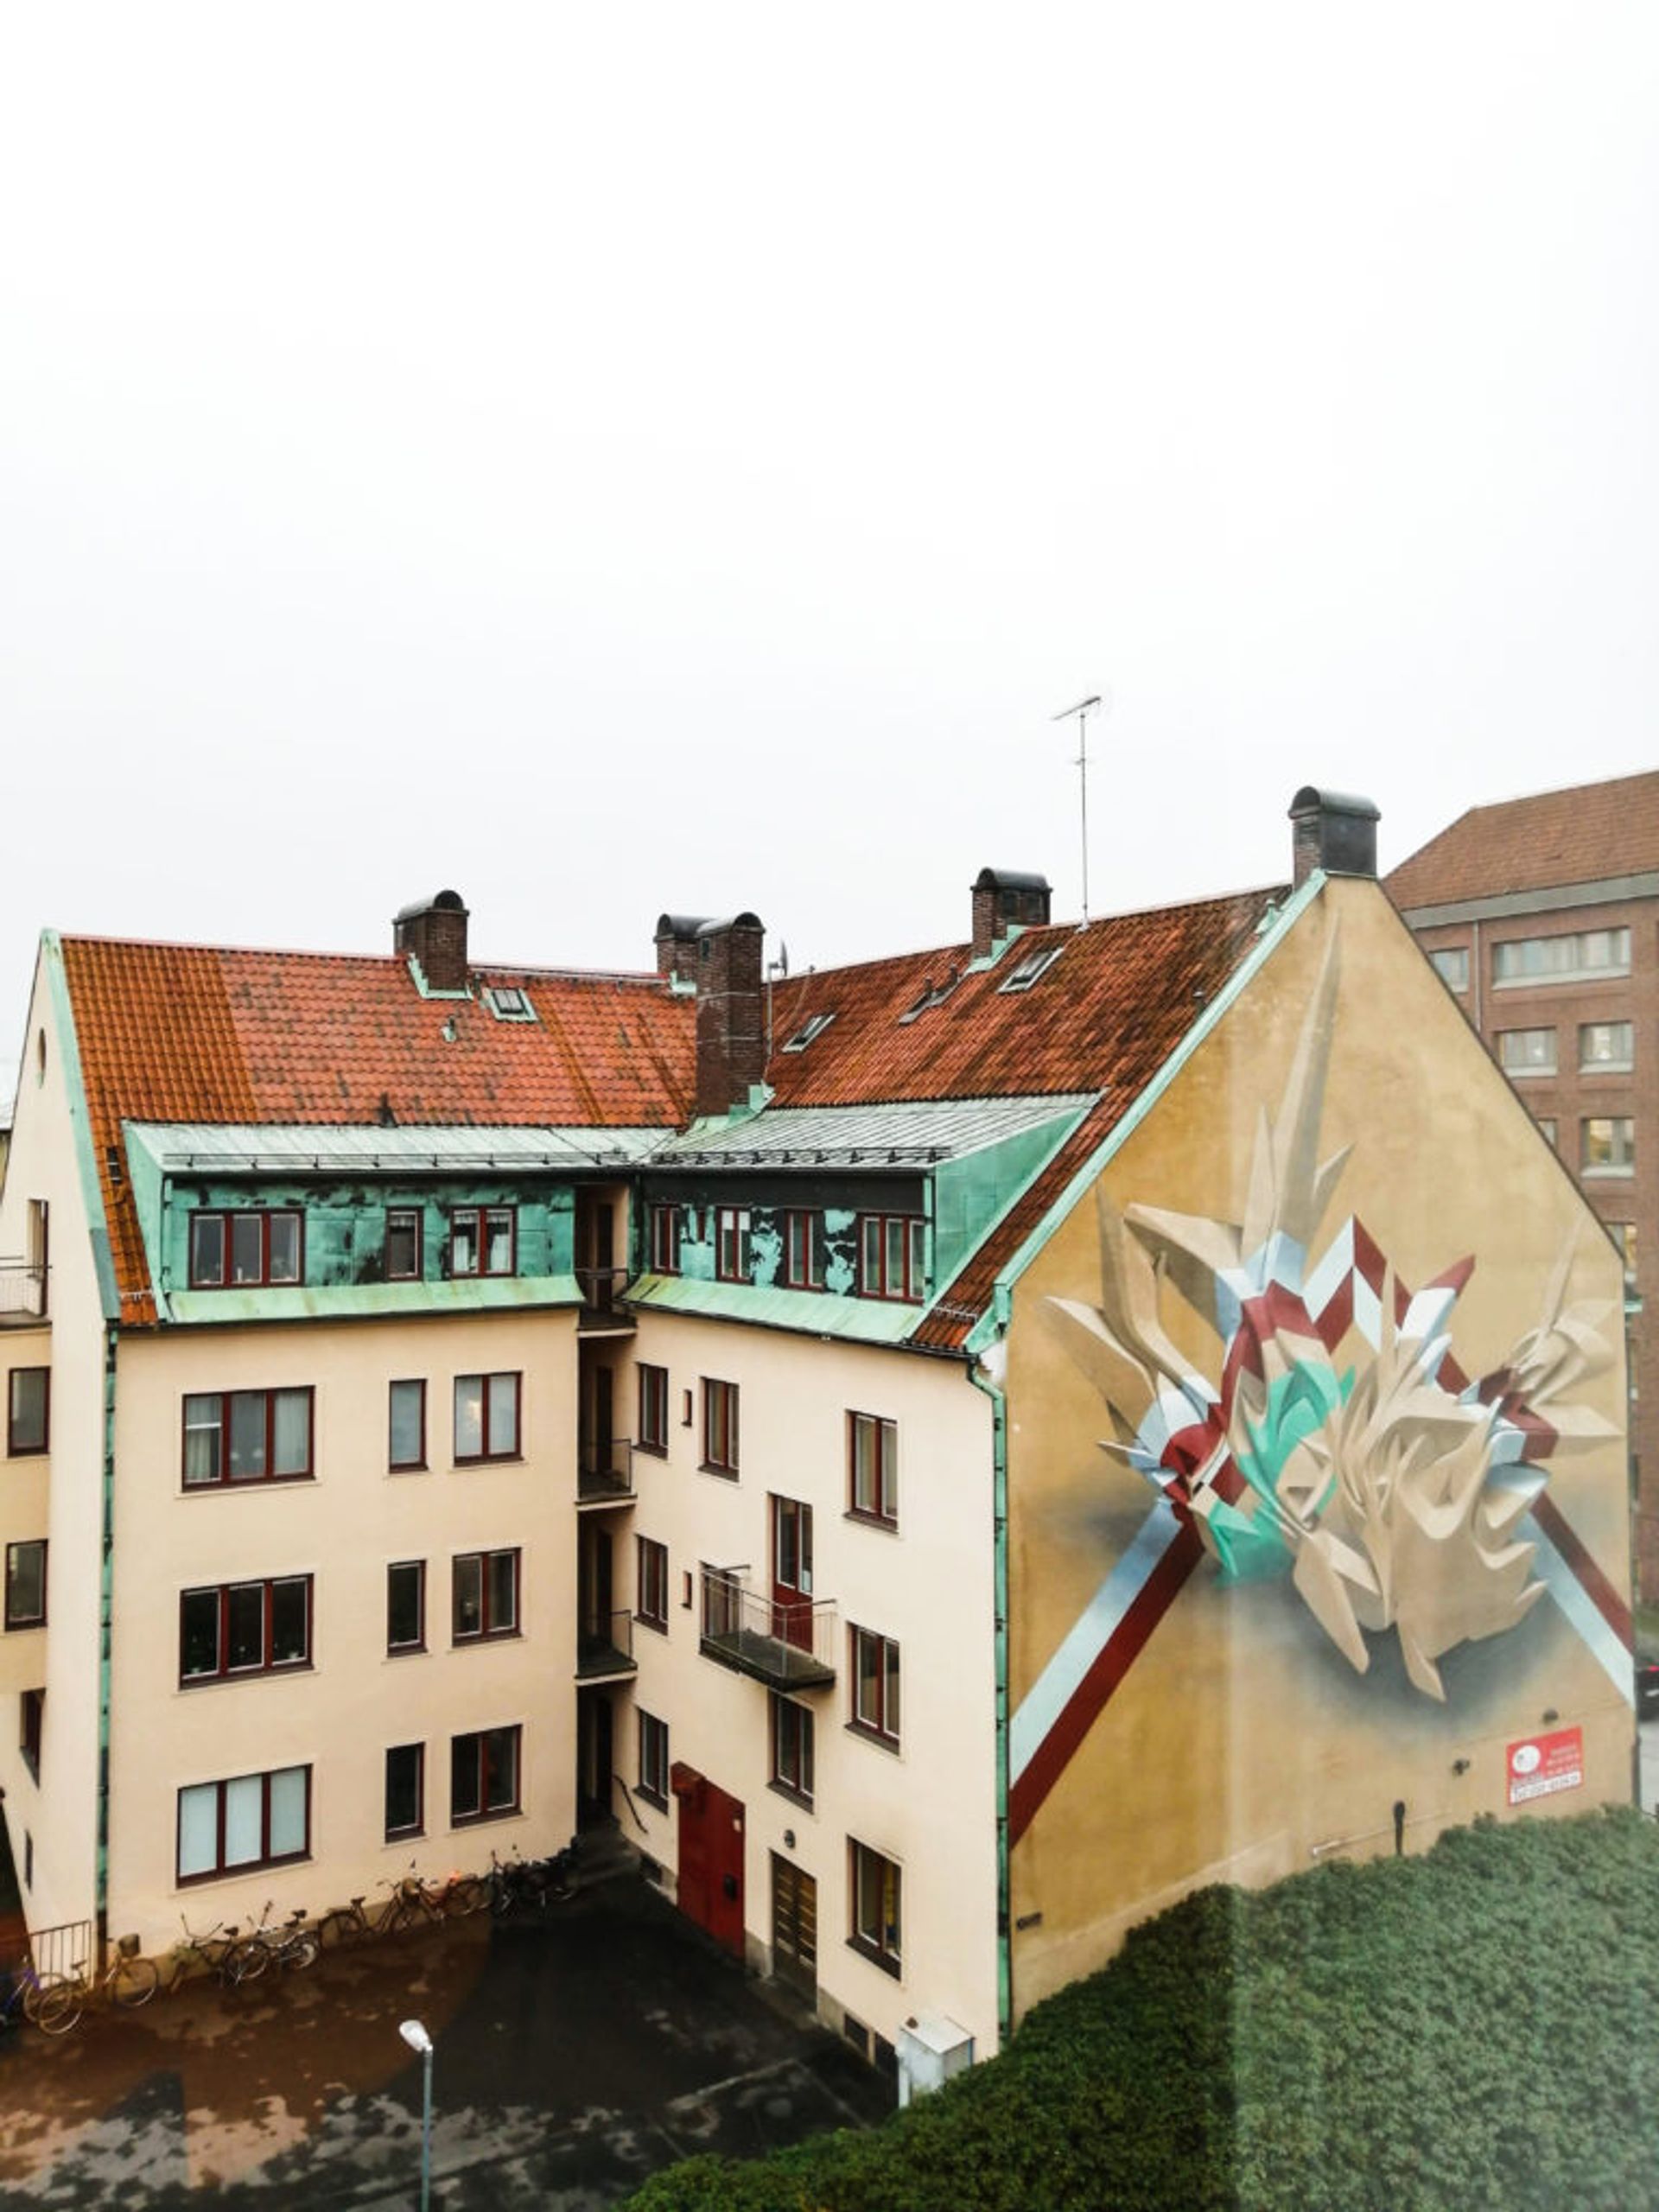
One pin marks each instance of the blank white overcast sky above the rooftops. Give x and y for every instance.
(632, 457)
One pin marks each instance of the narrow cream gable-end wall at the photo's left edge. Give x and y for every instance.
(59, 1496)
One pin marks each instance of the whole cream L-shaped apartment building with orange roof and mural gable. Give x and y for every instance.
(813, 1434)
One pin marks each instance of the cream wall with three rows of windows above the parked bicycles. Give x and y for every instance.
(344, 1530)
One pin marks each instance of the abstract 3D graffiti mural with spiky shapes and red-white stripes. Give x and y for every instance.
(1331, 1434)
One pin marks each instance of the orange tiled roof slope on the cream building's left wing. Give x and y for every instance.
(198, 1034)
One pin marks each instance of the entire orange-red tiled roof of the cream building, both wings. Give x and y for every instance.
(198, 1034)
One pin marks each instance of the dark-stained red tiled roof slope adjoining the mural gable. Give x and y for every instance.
(1107, 1014)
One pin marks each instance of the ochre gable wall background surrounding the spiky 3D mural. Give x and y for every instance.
(1242, 1744)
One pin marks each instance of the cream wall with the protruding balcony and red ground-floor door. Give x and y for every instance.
(930, 1585)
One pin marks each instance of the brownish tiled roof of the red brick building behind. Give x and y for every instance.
(1583, 835)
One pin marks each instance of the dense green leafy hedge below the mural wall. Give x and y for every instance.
(1470, 2030)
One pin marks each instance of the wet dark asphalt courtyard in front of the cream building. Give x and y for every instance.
(574, 2056)
